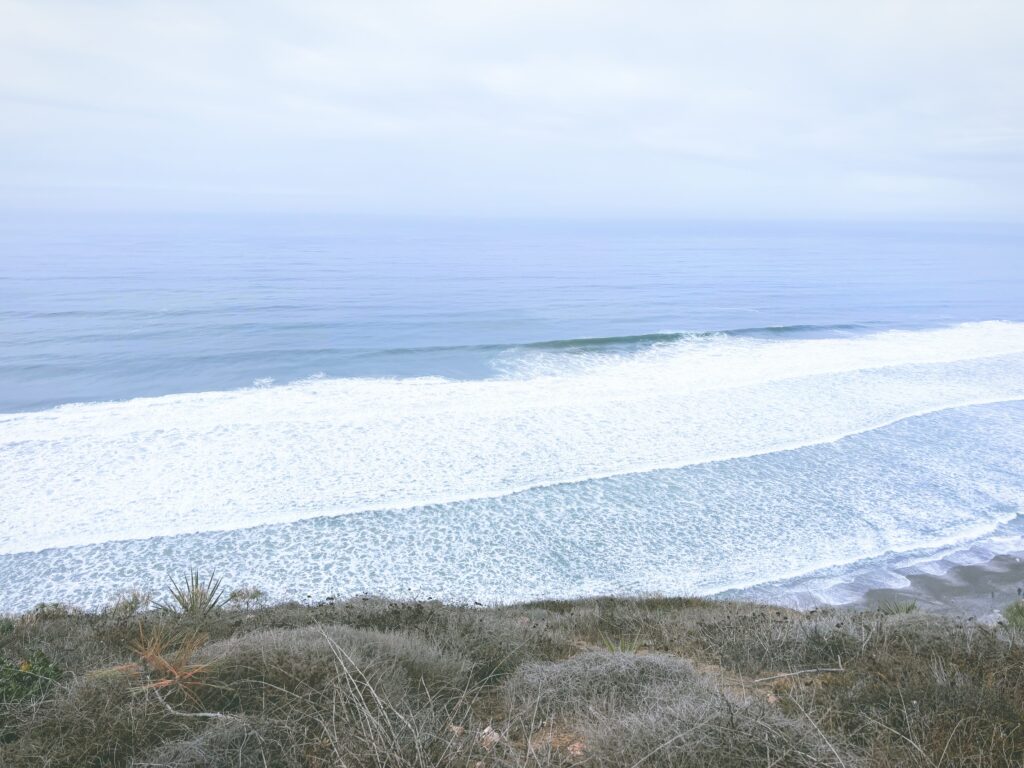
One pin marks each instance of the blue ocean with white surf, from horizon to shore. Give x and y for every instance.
(500, 411)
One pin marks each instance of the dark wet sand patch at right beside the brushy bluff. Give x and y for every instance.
(980, 591)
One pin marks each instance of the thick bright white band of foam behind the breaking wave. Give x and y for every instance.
(94, 473)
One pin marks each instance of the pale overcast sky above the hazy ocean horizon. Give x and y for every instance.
(857, 109)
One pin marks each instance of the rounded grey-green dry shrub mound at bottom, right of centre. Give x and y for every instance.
(656, 710)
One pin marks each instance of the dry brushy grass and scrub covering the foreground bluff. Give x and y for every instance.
(605, 682)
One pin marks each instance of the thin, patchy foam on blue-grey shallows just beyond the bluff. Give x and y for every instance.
(831, 520)
